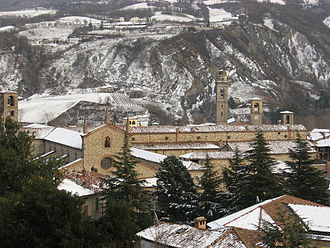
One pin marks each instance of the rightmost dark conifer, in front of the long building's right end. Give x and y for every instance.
(303, 180)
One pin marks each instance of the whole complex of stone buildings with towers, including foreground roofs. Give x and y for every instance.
(88, 154)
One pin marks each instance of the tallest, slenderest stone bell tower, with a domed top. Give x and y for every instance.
(222, 98)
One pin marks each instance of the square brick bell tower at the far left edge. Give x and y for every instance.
(8, 105)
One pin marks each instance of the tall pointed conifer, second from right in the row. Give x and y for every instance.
(260, 182)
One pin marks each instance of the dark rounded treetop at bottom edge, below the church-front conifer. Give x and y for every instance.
(118, 225)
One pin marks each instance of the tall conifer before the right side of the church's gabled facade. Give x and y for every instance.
(126, 187)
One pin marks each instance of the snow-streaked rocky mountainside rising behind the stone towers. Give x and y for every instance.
(265, 54)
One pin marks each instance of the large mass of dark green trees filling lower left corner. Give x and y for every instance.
(34, 213)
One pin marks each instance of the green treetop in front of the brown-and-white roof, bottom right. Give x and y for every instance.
(292, 233)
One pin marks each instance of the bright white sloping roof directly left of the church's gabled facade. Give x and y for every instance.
(65, 137)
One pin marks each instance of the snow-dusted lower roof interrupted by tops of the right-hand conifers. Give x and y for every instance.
(276, 147)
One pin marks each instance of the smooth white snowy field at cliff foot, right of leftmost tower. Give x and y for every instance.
(38, 109)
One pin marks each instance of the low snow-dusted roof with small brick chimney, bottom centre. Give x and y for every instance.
(176, 235)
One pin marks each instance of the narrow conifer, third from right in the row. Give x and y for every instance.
(235, 179)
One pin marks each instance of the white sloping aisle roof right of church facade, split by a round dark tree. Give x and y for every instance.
(158, 158)
